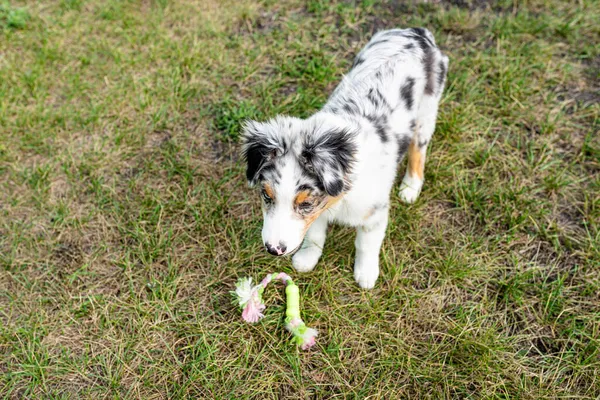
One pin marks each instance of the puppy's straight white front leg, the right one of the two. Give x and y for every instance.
(369, 238)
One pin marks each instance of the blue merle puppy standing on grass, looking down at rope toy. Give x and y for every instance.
(339, 165)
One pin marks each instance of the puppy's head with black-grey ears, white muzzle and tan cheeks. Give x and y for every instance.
(302, 168)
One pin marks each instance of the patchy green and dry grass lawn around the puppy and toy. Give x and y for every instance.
(125, 218)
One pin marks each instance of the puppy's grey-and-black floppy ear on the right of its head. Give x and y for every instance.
(330, 156)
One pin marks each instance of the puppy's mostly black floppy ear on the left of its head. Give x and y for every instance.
(260, 146)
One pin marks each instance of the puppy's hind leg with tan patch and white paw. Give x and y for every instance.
(423, 128)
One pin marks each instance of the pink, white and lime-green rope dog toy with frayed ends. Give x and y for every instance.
(249, 298)
